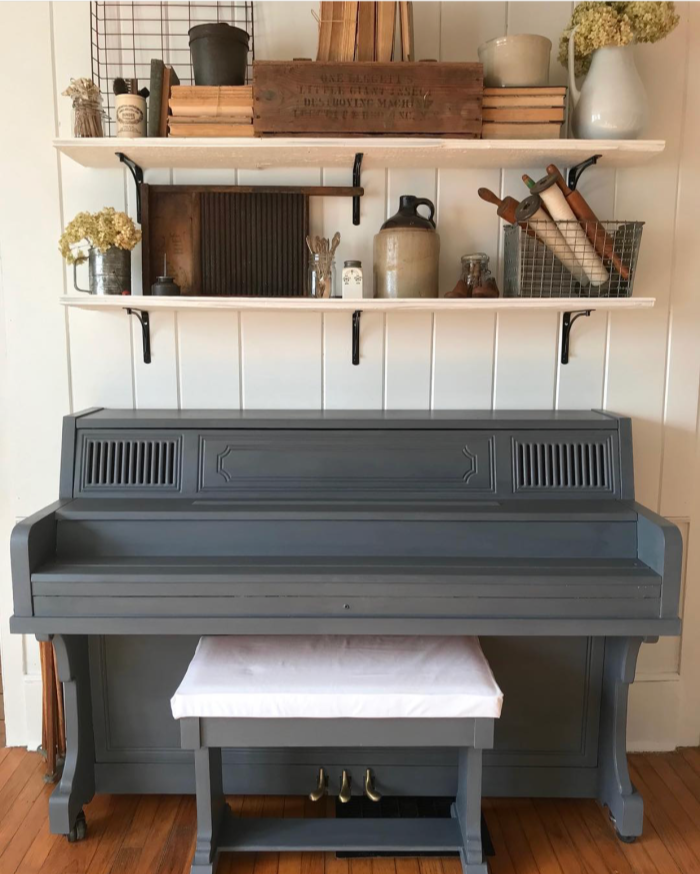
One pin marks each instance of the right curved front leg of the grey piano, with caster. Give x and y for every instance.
(615, 789)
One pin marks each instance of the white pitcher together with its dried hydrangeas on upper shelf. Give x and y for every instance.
(598, 42)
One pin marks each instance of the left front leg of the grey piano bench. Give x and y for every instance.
(210, 809)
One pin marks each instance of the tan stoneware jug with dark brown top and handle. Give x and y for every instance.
(407, 252)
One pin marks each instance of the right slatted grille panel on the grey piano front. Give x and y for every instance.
(563, 466)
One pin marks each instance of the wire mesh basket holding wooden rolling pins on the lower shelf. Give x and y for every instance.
(570, 259)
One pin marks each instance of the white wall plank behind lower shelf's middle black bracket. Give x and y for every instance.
(347, 386)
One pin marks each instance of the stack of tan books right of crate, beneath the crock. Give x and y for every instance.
(523, 113)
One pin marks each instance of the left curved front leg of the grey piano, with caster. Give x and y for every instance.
(77, 784)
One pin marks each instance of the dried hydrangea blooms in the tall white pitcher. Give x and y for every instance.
(614, 24)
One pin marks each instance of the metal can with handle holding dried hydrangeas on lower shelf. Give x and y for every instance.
(105, 239)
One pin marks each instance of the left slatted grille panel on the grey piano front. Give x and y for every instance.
(131, 463)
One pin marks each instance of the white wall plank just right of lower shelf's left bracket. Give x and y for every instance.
(208, 360)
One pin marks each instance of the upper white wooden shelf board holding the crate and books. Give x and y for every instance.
(413, 152)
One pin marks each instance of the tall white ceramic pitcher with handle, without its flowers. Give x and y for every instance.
(612, 104)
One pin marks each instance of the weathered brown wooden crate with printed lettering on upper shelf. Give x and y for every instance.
(316, 98)
